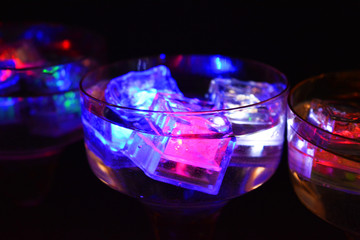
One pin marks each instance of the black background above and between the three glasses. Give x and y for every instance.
(298, 38)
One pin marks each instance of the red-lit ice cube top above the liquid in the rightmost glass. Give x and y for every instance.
(338, 117)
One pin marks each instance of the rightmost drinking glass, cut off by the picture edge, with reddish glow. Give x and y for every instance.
(324, 147)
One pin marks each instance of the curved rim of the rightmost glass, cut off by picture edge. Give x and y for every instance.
(305, 81)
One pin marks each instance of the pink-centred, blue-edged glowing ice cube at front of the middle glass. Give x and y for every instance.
(190, 151)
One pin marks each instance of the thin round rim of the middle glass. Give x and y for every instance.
(107, 66)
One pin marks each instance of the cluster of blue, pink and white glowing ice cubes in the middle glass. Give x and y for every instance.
(183, 146)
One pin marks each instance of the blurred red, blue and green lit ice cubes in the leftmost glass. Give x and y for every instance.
(51, 107)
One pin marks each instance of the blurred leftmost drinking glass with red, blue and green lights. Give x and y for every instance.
(40, 69)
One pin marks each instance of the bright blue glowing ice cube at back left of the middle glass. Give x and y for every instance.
(138, 89)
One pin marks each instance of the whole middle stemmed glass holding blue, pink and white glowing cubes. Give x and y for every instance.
(169, 160)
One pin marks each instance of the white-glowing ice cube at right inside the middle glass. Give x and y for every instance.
(254, 126)
